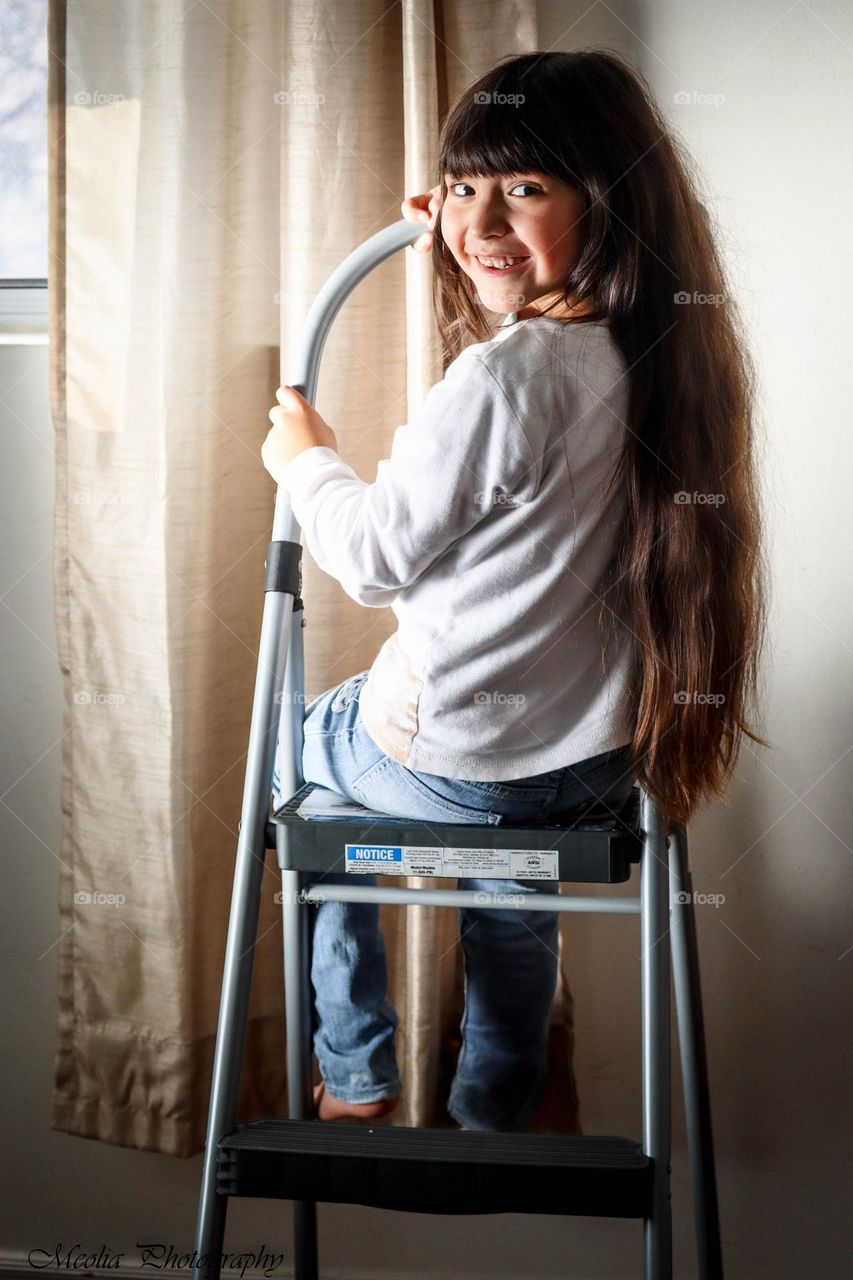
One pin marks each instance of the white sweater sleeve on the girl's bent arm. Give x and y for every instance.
(439, 483)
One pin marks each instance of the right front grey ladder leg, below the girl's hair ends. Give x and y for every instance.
(655, 967)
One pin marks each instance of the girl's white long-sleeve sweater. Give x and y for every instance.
(490, 534)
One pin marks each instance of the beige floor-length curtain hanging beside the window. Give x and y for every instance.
(211, 164)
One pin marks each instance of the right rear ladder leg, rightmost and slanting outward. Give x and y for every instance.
(695, 1066)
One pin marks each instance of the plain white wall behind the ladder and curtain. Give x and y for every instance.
(778, 956)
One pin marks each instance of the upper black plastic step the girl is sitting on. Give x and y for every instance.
(597, 848)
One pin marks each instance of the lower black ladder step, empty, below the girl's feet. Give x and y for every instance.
(437, 1171)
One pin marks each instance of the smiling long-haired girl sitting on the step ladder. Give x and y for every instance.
(568, 534)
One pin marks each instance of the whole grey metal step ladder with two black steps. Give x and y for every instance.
(436, 1171)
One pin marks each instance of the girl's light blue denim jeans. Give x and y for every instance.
(510, 956)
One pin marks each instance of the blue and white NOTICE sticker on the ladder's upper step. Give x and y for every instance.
(428, 861)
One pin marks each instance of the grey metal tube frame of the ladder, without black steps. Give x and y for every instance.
(665, 904)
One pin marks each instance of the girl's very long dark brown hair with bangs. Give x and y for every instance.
(690, 572)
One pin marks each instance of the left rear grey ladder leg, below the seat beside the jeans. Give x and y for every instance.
(298, 1014)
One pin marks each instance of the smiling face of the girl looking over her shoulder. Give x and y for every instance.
(530, 216)
